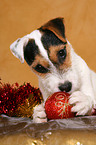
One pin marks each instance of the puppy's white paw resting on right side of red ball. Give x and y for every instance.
(82, 104)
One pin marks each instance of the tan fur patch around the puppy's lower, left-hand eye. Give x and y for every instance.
(39, 60)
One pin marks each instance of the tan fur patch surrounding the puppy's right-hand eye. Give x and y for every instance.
(53, 50)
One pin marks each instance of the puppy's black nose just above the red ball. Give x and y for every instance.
(65, 87)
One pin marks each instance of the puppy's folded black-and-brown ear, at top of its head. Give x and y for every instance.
(57, 27)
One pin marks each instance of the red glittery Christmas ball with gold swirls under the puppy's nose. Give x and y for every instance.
(58, 107)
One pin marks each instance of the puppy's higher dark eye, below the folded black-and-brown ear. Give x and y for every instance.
(62, 55)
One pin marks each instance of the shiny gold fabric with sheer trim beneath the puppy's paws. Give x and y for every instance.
(22, 131)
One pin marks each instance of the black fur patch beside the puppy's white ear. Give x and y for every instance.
(30, 51)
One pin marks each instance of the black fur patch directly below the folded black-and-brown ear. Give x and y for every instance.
(50, 39)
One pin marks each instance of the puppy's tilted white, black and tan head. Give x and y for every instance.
(49, 55)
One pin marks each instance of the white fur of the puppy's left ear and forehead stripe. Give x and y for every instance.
(17, 46)
